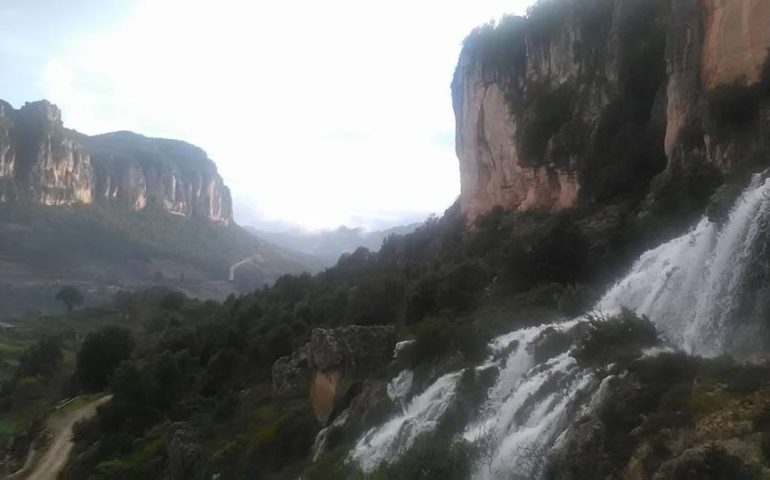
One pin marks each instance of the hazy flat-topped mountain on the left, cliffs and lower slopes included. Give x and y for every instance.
(117, 210)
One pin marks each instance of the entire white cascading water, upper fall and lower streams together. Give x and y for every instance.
(690, 287)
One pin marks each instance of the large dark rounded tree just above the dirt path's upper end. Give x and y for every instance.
(101, 352)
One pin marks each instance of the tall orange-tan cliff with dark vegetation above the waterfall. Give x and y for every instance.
(583, 101)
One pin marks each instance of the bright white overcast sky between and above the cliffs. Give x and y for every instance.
(317, 113)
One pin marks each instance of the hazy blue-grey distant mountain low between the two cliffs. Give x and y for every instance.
(328, 245)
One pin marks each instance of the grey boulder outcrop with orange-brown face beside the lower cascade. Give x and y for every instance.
(333, 365)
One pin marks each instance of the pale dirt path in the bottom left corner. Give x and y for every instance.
(55, 457)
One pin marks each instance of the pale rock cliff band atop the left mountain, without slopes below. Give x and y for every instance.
(42, 161)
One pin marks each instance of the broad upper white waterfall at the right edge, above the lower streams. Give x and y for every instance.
(693, 284)
